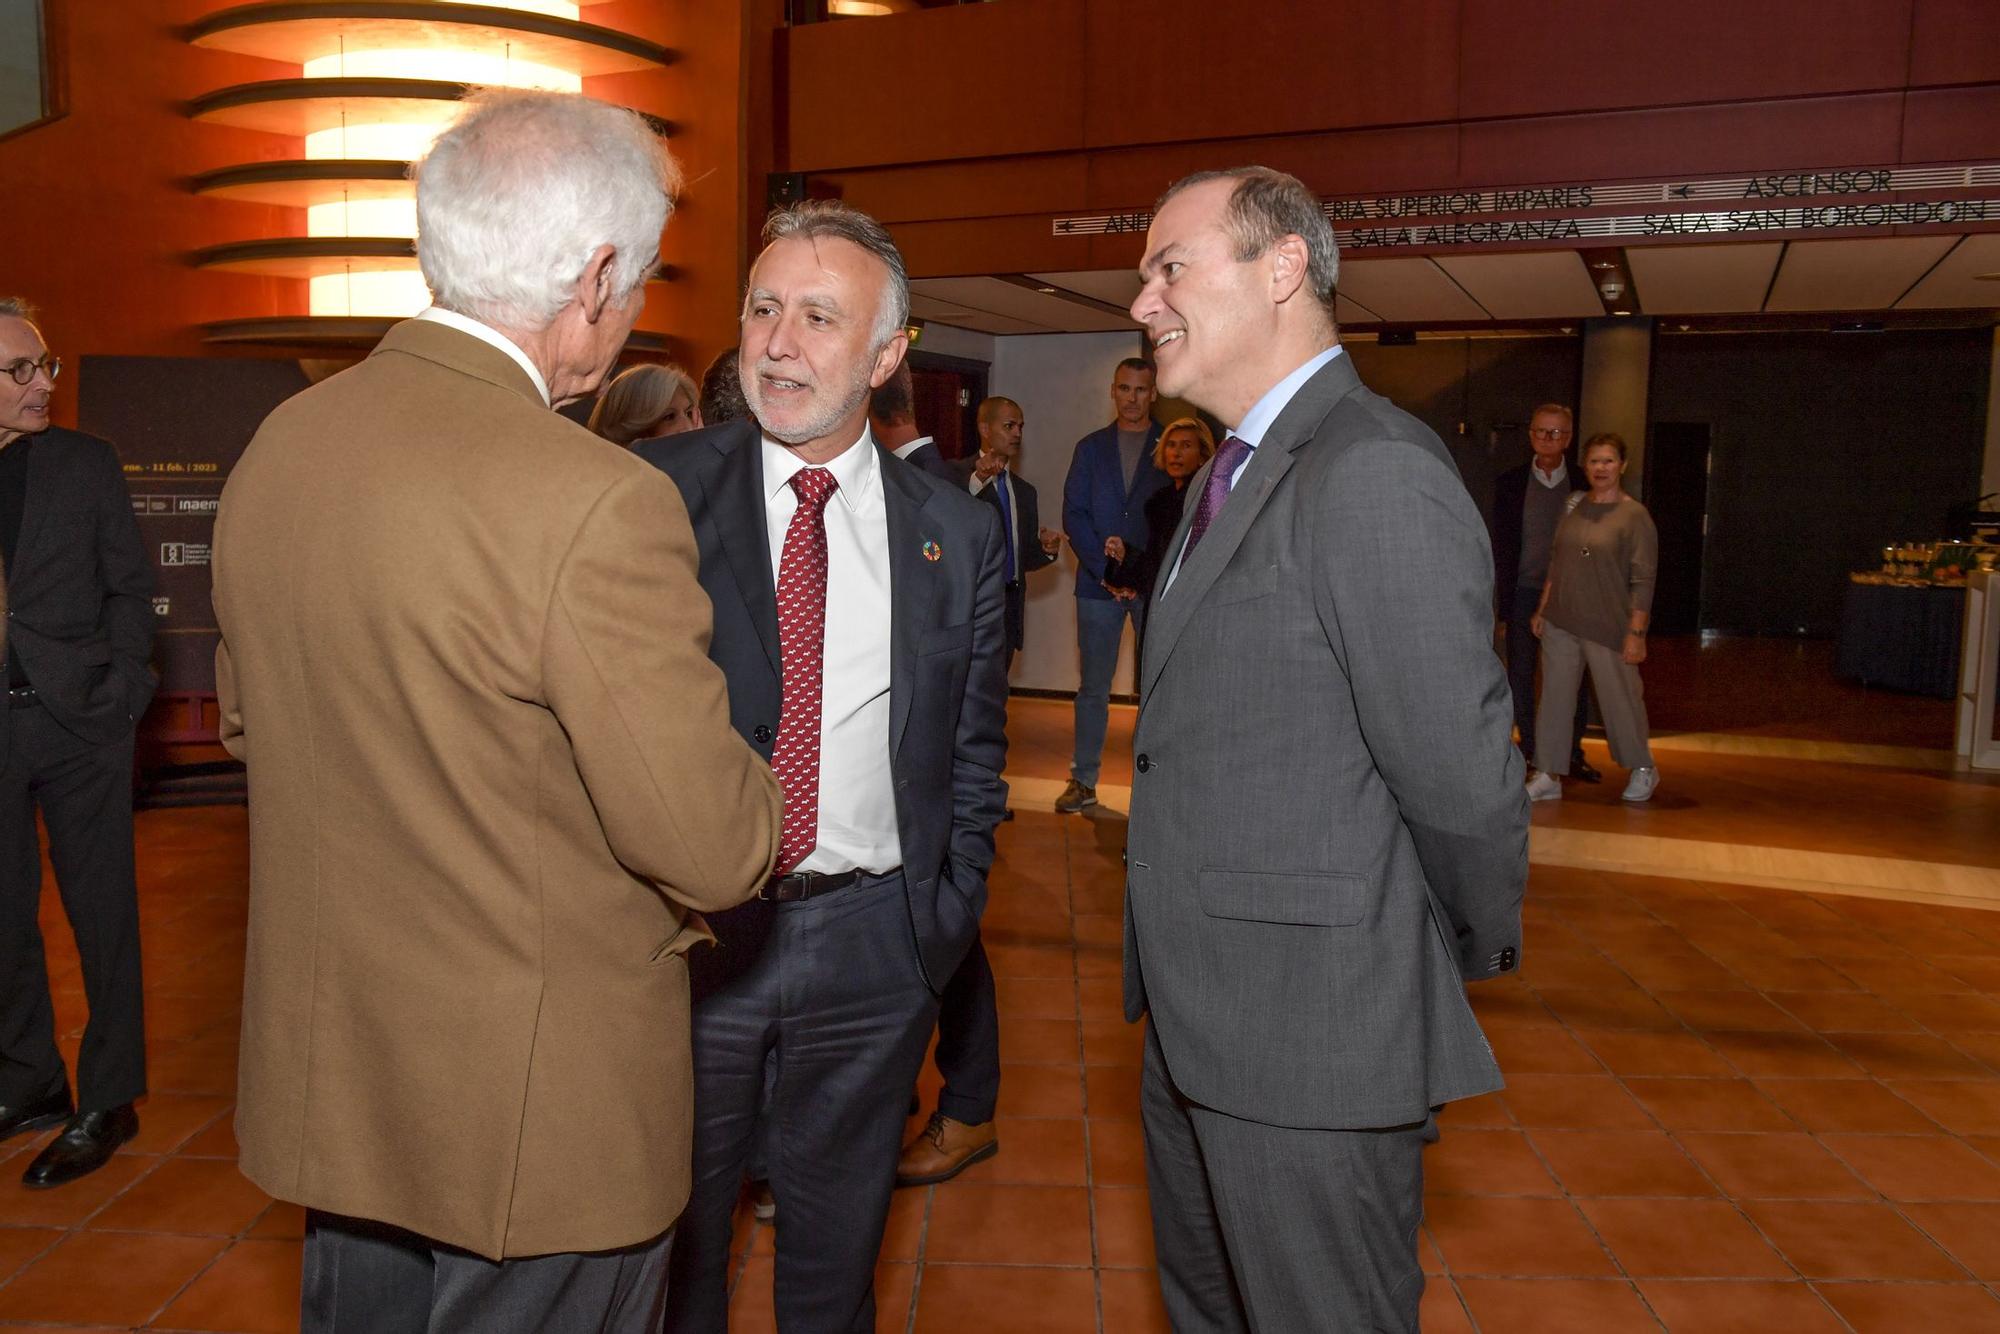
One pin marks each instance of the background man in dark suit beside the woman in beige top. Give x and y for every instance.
(1529, 507)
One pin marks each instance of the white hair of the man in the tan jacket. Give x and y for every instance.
(513, 201)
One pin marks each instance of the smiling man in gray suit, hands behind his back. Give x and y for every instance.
(1329, 831)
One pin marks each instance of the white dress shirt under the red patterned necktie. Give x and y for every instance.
(857, 787)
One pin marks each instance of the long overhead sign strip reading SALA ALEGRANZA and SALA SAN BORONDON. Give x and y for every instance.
(1471, 217)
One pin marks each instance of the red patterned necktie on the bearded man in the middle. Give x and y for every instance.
(795, 759)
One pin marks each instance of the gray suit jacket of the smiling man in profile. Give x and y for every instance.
(1329, 829)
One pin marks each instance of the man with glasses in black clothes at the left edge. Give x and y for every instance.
(79, 635)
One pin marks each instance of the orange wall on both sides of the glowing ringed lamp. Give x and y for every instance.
(99, 219)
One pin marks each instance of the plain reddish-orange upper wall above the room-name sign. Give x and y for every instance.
(967, 127)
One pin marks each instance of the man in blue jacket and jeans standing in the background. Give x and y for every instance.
(1105, 515)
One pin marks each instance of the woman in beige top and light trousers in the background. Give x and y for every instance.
(1595, 611)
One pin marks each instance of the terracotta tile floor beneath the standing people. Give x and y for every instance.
(1729, 1109)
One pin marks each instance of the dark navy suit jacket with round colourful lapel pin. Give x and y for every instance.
(947, 687)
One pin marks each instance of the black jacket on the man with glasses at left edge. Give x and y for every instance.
(79, 597)
